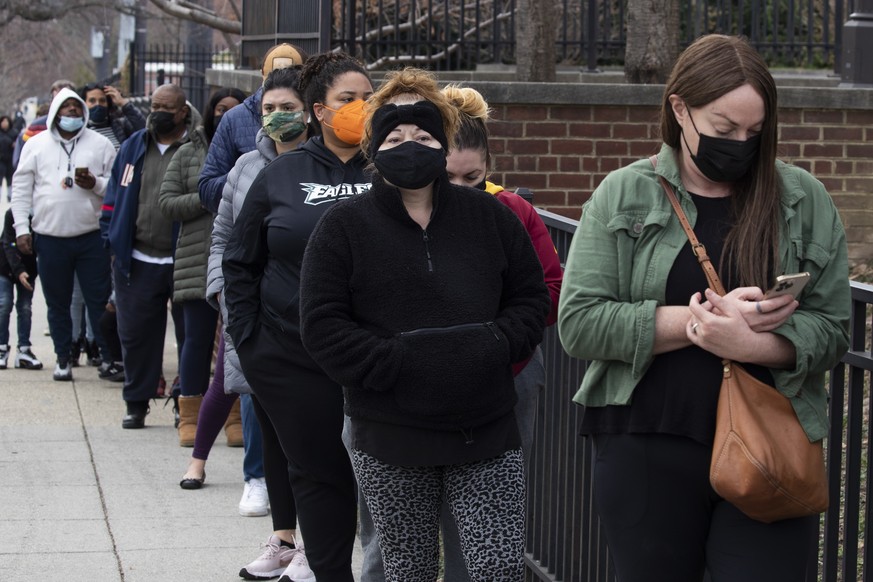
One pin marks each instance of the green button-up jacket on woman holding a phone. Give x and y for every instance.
(616, 275)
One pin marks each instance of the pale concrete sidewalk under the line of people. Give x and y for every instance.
(81, 499)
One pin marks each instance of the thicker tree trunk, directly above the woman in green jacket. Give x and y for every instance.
(652, 40)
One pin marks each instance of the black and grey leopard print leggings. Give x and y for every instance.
(487, 500)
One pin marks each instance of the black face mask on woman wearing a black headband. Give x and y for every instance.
(410, 165)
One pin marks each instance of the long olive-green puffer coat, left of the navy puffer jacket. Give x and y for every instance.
(180, 202)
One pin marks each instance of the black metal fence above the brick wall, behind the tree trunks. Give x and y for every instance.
(460, 34)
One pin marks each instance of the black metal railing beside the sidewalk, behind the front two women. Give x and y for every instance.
(565, 541)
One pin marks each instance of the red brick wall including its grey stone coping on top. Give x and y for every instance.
(560, 139)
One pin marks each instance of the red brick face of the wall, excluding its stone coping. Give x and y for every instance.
(561, 152)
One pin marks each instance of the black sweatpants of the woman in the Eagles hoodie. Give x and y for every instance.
(306, 410)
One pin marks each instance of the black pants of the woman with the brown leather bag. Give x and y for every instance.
(664, 522)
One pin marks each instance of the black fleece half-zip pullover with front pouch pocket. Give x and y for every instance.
(421, 326)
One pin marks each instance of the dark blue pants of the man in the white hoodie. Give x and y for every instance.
(59, 260)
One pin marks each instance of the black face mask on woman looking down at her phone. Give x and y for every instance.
(724, 160)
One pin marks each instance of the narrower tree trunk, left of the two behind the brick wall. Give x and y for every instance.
(535, 35)
